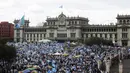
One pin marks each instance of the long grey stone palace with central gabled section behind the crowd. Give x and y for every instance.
(63, 28)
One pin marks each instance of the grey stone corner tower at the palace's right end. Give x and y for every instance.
(123, 30)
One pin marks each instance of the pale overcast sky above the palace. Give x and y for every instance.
(97, 11)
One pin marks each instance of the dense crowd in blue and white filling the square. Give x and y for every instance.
(52, 57)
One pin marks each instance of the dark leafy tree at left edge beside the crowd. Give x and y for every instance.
(7, 54)
